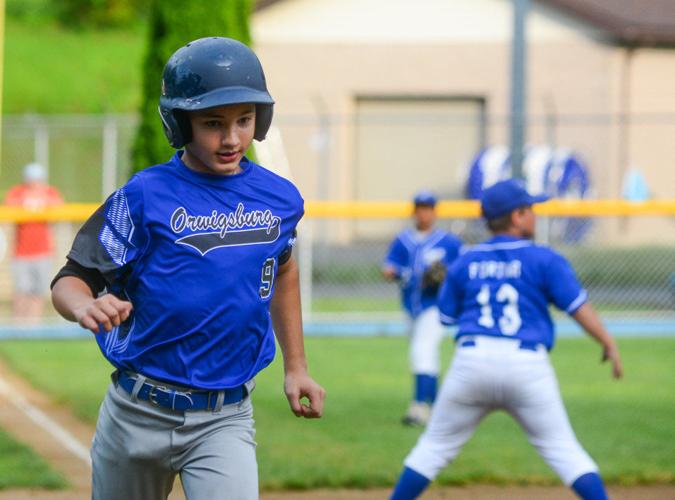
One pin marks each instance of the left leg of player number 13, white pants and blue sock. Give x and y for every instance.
(456, 413)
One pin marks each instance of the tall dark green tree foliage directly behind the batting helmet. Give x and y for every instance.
(173, 23)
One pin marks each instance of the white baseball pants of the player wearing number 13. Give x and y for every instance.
(496, 373)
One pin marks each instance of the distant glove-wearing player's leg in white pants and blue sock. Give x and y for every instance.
(427, 334)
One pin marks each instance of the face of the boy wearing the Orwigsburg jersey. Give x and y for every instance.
(220, 138)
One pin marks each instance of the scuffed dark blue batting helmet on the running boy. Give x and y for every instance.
(211, 72)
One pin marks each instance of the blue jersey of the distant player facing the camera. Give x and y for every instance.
(410, 254)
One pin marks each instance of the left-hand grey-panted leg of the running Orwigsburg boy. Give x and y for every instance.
(131, 450)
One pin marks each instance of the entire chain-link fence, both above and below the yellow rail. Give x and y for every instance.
(383, 152)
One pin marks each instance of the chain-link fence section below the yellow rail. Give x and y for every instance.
(343, 289)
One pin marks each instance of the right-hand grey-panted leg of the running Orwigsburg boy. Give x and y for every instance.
(219, 459)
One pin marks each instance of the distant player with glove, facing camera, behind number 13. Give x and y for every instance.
(418, 258)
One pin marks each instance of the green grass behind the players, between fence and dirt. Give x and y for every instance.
(626, 426)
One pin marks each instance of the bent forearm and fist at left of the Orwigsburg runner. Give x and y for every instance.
(74, 300)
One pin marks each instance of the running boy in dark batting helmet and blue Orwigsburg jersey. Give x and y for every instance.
(184, 275)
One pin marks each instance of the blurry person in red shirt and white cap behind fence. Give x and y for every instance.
(33, 242)
